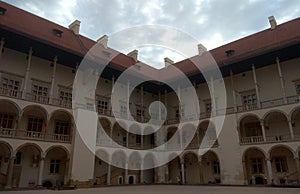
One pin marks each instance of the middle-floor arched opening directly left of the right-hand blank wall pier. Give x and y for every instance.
(207, 135)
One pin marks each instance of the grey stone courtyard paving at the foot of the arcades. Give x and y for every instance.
(166, 189)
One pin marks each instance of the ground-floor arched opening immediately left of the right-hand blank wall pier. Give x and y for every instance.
(211, 170)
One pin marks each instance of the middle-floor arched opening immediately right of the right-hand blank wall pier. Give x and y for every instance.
(250, 130)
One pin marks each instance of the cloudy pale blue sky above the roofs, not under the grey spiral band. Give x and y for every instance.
(211, 22)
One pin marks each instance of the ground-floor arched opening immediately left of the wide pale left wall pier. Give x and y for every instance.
(56, 166)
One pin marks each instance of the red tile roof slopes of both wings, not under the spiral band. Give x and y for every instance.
(40, 29)
